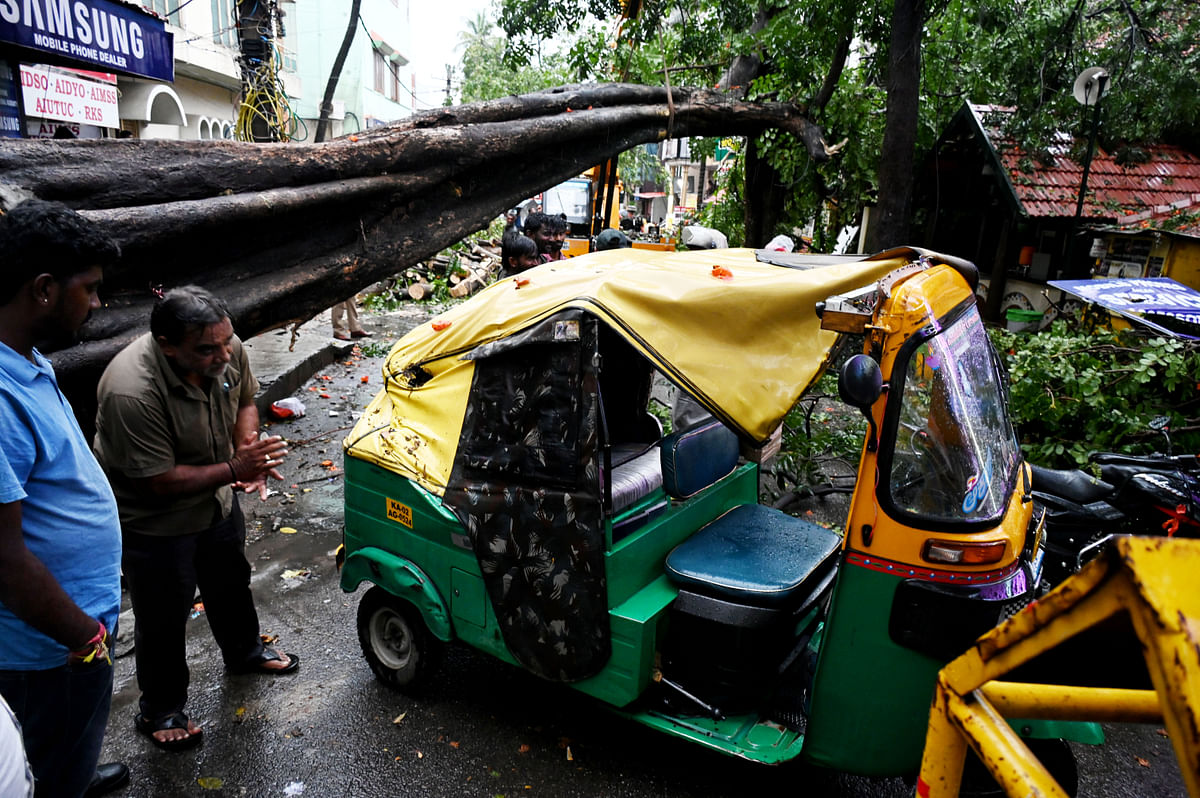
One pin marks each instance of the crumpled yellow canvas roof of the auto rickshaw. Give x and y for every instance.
(740, 335)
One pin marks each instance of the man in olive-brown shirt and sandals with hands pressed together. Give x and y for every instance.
(177, 431)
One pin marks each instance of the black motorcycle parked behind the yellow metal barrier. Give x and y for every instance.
(1139, 495)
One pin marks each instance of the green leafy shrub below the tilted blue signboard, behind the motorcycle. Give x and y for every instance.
(1075, 392)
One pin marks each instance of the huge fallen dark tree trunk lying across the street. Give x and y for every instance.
(284, 231)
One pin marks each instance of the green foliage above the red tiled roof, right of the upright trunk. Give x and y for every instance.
(1028, 55)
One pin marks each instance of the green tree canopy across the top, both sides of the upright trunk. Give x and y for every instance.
(1022, 53)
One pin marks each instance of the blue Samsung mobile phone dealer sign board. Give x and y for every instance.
(98, 33)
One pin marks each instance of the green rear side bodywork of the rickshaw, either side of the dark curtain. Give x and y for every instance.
(453, 601)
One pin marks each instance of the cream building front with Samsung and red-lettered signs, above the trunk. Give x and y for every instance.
(196, 95)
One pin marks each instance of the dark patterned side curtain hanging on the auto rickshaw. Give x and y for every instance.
(526, 487)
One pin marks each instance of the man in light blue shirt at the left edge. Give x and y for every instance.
(61, 543)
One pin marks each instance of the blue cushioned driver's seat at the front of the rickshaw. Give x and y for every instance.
(757, 556)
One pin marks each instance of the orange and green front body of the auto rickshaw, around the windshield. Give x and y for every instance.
(869, 677)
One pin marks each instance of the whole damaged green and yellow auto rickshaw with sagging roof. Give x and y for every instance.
(509, 490)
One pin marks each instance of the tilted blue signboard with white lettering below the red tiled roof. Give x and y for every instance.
(1154, 302)
